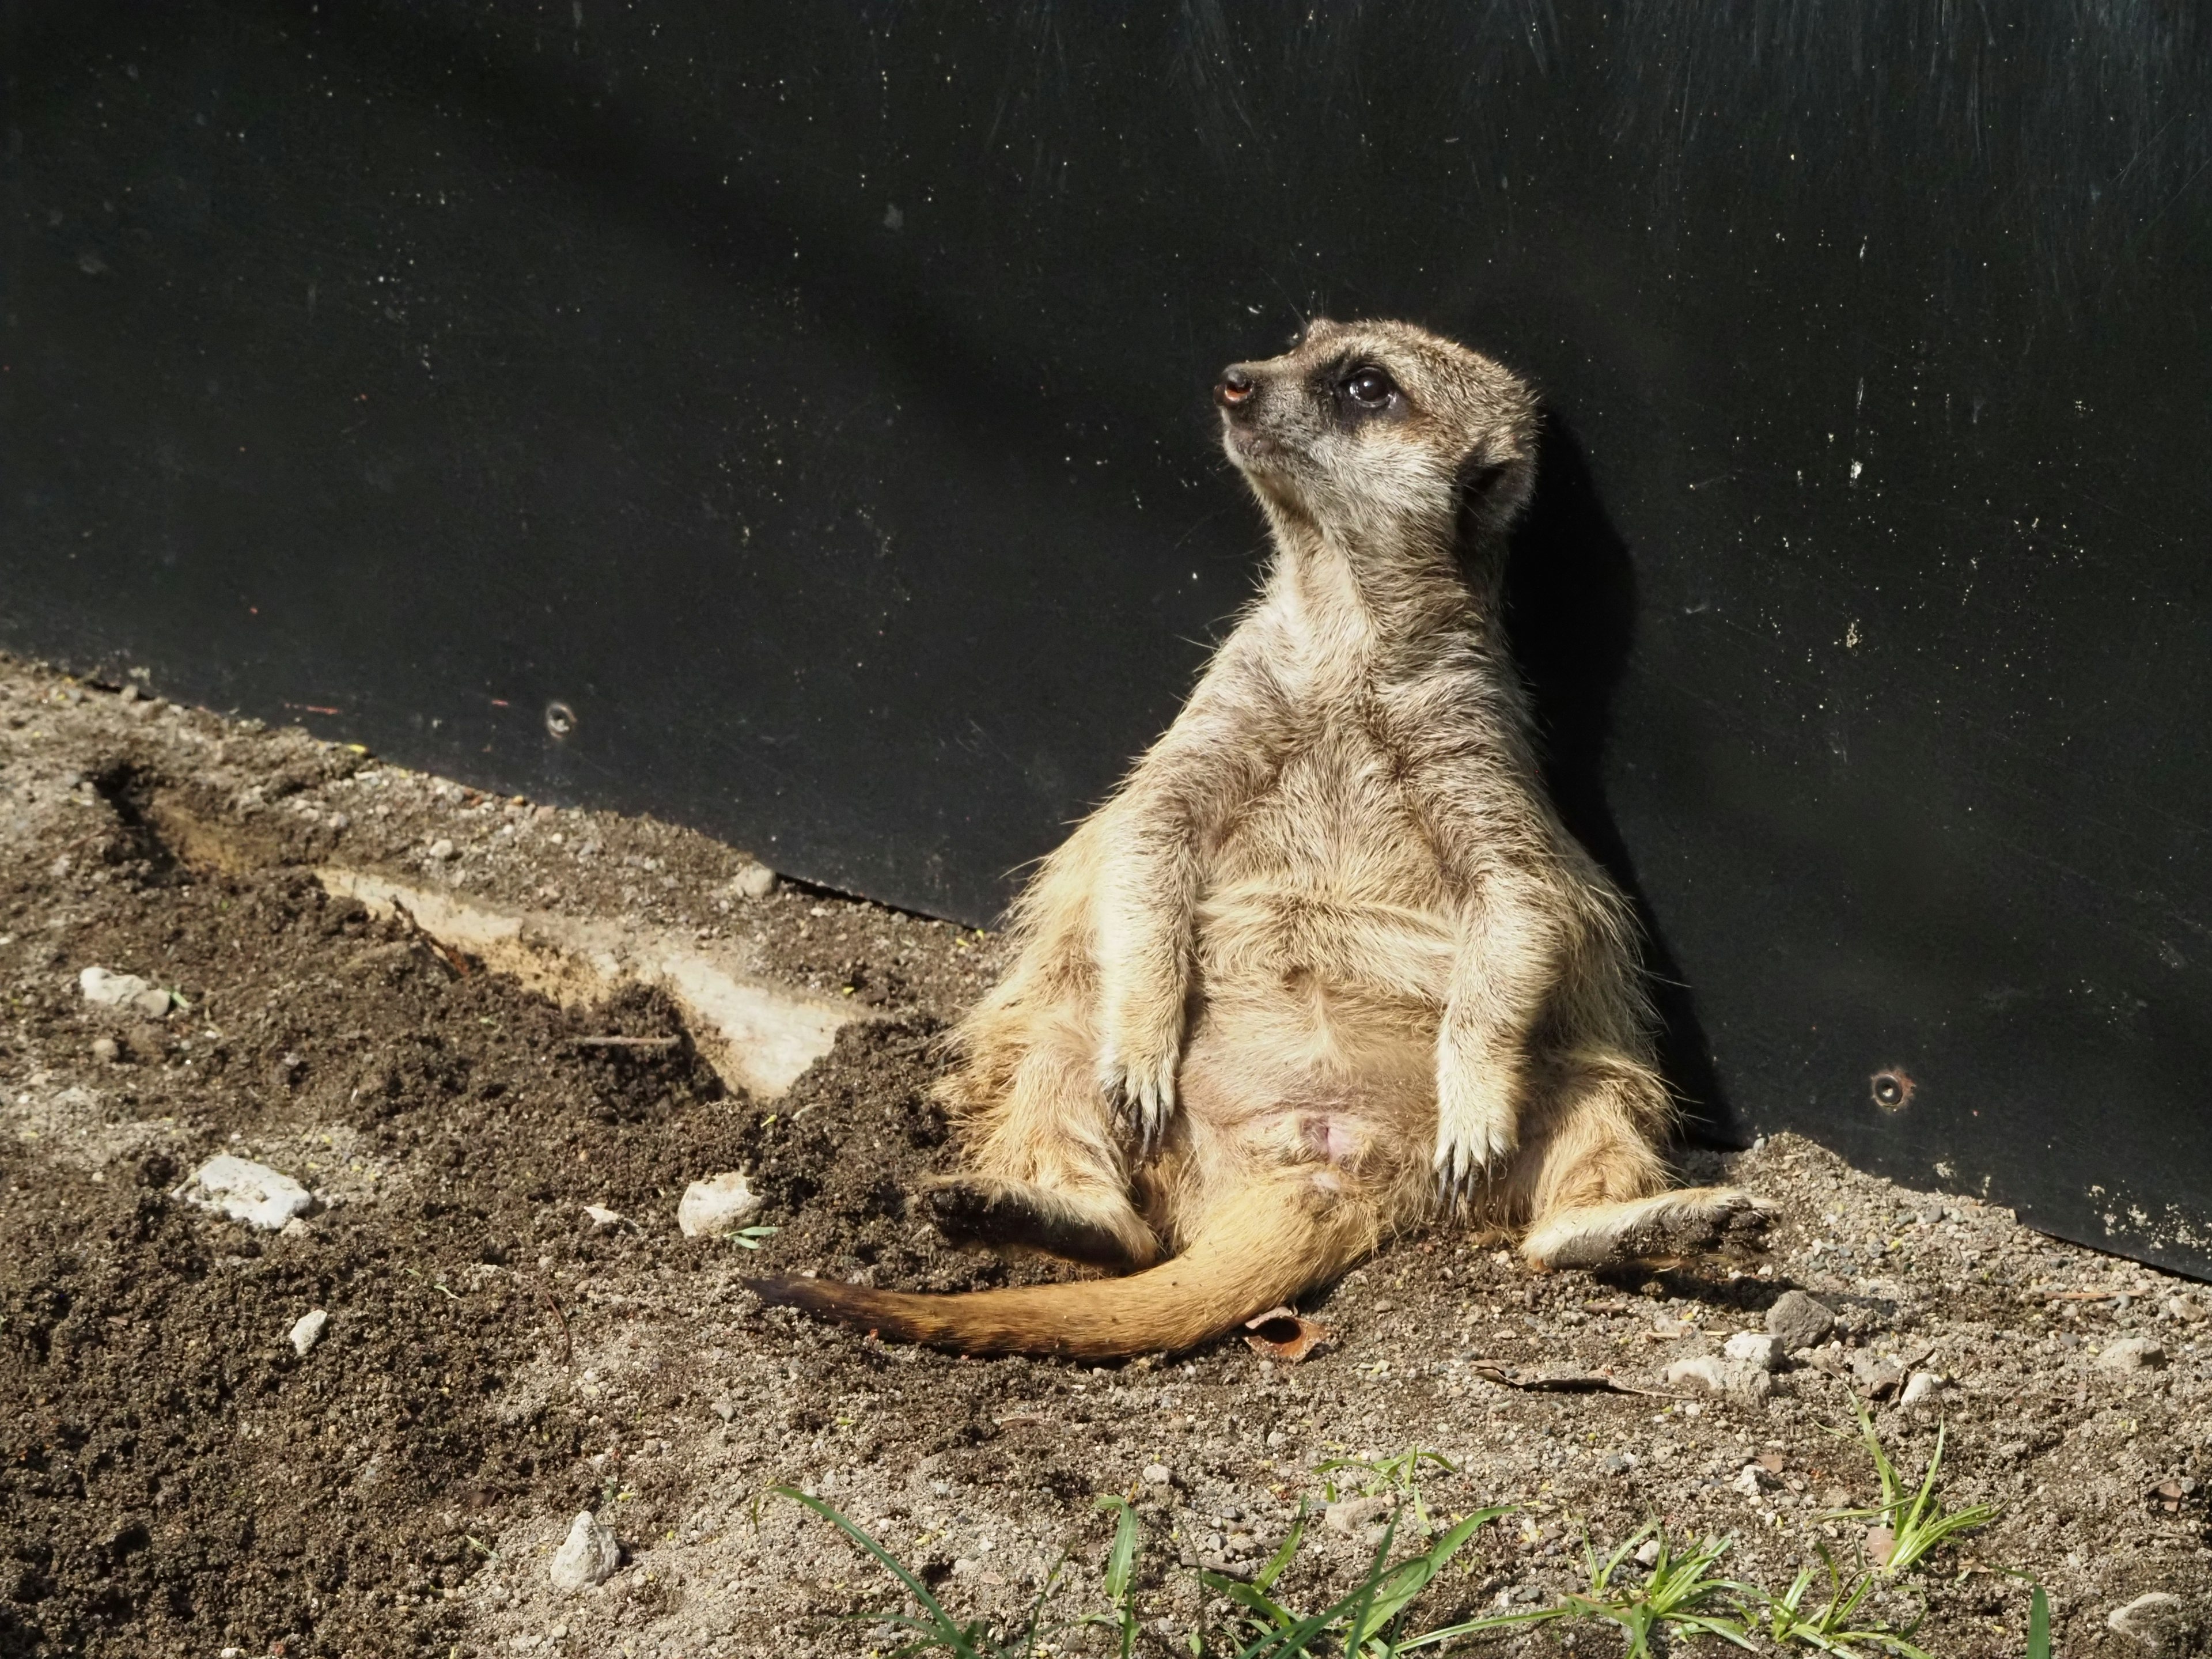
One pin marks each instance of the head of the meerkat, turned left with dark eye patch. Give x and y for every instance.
(1384, 428)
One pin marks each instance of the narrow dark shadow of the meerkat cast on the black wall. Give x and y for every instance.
(1572, 609)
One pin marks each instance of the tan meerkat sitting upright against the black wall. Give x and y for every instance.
(1328, 966)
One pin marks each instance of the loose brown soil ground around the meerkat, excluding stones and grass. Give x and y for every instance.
(178, 1481)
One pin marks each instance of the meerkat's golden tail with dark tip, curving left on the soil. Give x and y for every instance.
(1253, 1253)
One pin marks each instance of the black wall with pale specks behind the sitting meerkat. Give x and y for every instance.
(813, 401)
